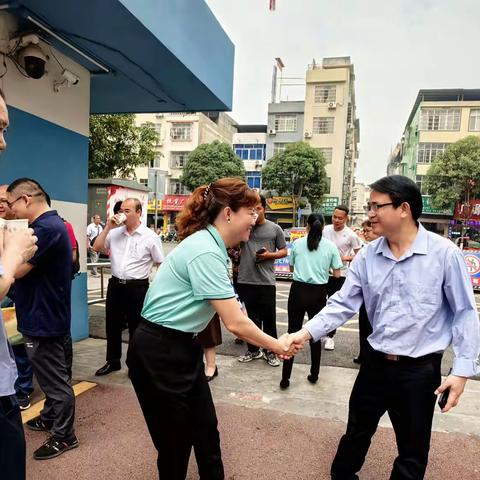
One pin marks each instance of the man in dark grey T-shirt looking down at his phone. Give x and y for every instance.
(256, 279)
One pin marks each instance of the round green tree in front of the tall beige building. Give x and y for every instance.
(299, 170)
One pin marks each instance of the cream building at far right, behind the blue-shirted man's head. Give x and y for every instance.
(438, 118)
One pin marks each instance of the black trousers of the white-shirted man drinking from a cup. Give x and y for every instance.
(123, 306)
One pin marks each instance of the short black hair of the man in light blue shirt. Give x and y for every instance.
(401, 189)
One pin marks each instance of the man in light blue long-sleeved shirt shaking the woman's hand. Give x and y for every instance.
(419, 299)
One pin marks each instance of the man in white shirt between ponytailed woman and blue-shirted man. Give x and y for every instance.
(348, 245)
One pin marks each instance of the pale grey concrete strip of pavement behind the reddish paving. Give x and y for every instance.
(256, 385)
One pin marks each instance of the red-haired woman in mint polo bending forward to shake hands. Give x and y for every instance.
(164, 357)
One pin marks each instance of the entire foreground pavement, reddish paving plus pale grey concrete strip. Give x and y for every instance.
(266, 433)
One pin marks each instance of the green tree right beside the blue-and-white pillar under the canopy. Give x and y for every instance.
(118, 146)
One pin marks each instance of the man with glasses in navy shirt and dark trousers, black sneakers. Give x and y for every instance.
(43, 307)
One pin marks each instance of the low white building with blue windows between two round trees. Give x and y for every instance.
(249, 144)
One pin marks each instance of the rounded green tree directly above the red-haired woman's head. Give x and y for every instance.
(209, 162)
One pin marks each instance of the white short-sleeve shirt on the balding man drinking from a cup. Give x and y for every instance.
(133, 256)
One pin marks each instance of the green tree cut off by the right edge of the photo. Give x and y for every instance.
(455, 172)
